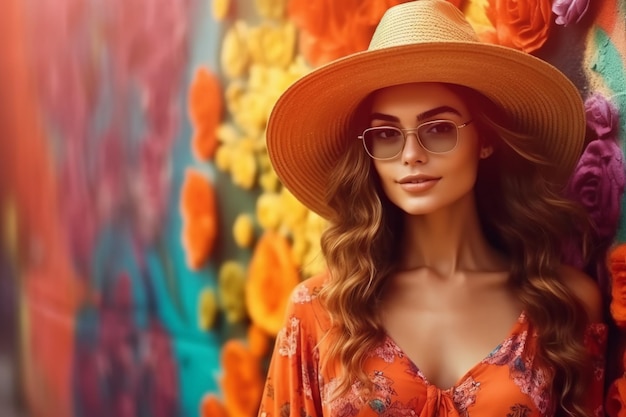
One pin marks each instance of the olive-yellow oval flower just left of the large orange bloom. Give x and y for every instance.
(231, 287)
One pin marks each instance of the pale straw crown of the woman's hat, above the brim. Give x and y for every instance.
(422, 21)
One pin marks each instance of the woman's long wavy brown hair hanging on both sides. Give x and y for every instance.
(523, 215)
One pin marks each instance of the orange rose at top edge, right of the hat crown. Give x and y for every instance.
(522, 25)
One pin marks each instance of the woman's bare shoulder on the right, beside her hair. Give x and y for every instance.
(586, 289)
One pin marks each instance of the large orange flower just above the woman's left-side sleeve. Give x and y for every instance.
(272, 275)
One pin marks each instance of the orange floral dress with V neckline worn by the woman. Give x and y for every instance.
(506, 383)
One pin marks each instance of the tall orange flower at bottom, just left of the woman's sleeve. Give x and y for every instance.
(242, 384)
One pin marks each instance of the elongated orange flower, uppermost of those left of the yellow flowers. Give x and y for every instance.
(205, 112)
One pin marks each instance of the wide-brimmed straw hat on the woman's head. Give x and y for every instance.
(419, 41)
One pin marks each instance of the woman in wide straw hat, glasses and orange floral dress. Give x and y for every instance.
(438, 161)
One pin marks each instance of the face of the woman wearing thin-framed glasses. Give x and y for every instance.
(417, 181)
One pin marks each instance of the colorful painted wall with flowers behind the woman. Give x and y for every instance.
(147, 246)
